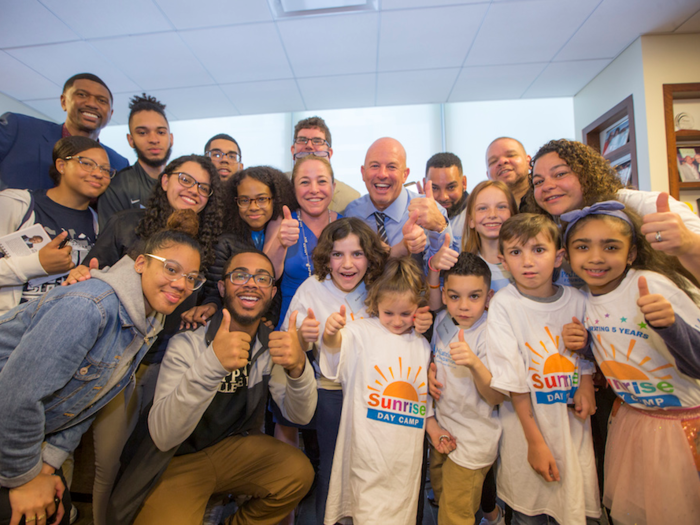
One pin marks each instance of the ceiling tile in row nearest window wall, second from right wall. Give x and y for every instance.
(494, 82)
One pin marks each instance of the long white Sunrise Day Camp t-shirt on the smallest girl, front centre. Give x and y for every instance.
(378, 455)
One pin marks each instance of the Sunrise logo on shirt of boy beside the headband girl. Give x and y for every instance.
(553, 375)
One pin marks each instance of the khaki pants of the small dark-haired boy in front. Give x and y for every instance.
(457, 489)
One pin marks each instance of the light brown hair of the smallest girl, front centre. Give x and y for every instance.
(400, 276)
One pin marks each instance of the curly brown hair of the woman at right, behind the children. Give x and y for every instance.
(594, 173)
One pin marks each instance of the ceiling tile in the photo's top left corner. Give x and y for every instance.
(29, 23)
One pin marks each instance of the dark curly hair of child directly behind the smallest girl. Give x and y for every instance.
(371, 244)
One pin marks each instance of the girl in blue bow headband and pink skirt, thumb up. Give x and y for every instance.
(643, 317)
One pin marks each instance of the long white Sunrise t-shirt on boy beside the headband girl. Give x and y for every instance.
(527, 355)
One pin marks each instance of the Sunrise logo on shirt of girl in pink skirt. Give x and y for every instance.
(634, 385)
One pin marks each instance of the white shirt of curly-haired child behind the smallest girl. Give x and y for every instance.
(324, 298)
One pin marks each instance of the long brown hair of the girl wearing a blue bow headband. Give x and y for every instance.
(647, 257)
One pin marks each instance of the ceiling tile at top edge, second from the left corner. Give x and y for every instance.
(91, 19)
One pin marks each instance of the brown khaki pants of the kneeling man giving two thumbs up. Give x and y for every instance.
(276, 475)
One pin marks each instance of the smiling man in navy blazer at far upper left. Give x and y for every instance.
(26, 142)
